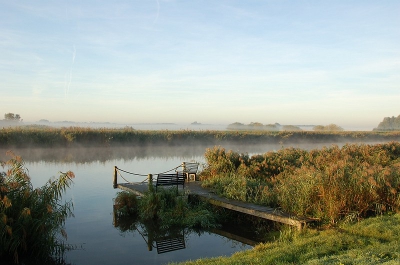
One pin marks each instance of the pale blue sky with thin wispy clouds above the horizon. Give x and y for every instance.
(215, 62)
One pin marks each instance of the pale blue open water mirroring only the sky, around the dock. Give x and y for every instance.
(92, 227)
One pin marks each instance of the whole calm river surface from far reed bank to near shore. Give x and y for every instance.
(92, 229)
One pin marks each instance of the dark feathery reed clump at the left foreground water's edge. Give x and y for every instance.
(32, 220)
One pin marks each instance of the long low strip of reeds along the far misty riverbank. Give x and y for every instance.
(78, 136)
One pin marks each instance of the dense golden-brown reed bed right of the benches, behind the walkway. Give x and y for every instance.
(331, 184)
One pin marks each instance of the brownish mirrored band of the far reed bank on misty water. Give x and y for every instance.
(103, 154)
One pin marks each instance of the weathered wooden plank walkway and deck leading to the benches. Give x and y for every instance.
(194, 188)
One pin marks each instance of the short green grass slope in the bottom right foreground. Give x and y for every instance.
(372, 241)
